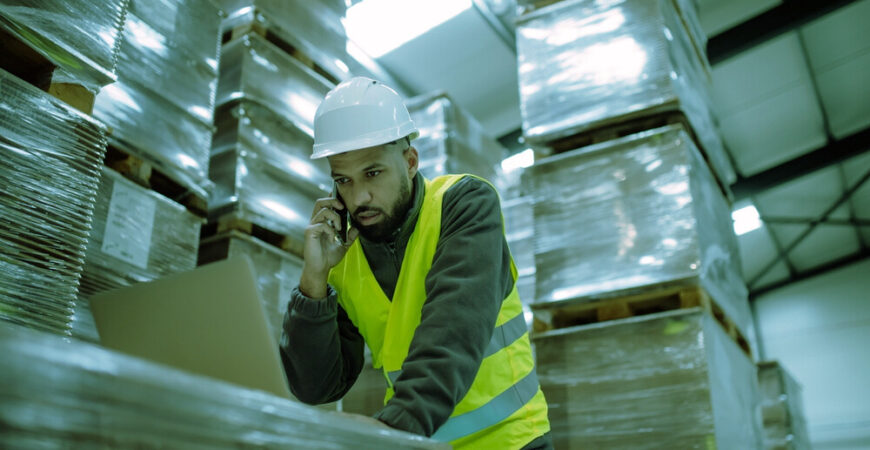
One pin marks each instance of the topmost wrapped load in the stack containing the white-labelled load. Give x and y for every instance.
(171, 47)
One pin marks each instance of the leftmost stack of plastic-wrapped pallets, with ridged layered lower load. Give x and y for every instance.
(56, 56)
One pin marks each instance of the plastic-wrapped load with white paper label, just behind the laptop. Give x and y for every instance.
(138, 235)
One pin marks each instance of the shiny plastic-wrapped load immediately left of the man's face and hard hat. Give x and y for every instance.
(262, 171)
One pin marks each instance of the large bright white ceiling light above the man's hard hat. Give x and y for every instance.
(381, 26)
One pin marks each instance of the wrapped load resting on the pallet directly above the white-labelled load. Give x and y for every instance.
(155, 130)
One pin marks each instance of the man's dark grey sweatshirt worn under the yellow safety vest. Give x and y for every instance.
(470, 275)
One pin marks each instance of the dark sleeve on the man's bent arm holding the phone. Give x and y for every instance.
(321, 349)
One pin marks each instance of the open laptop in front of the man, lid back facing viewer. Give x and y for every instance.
(208, 321)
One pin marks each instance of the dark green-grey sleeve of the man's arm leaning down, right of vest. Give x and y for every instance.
(469, 278)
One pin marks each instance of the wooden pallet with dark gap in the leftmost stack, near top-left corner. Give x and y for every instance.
(21, 60)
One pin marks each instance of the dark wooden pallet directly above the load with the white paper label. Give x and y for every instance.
(146, 175)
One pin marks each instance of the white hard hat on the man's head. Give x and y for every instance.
(360, 113)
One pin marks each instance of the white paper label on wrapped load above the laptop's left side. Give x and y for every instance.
(129, 225)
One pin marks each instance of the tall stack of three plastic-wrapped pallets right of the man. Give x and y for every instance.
(632, 220)
